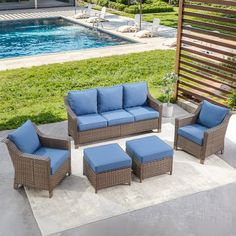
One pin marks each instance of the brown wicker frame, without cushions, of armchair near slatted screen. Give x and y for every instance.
(213, 140)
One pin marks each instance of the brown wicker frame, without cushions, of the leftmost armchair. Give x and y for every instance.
(35, 171)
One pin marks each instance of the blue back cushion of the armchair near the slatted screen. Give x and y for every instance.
(211, 115)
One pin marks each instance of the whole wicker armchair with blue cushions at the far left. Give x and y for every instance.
(39, 161)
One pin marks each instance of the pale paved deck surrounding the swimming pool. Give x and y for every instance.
(165, 39)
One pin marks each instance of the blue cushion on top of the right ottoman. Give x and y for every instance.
(149, 149)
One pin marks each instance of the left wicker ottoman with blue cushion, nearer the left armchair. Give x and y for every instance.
(106, 166)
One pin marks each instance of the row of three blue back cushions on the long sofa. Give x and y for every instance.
(106, 99)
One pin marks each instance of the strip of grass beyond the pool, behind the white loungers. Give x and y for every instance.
(167, 18)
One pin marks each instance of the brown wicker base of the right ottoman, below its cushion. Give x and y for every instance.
(153, 168)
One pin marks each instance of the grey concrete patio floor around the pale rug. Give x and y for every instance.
(209, 213)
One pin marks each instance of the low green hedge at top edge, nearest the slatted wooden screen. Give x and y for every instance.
(149, 8)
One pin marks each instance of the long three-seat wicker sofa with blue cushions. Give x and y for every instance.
(109, 112)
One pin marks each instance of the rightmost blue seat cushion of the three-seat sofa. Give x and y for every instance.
(143, 113)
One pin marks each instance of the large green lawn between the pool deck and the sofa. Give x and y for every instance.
(37, 93)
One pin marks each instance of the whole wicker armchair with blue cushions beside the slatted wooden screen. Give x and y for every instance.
(202, 133)
